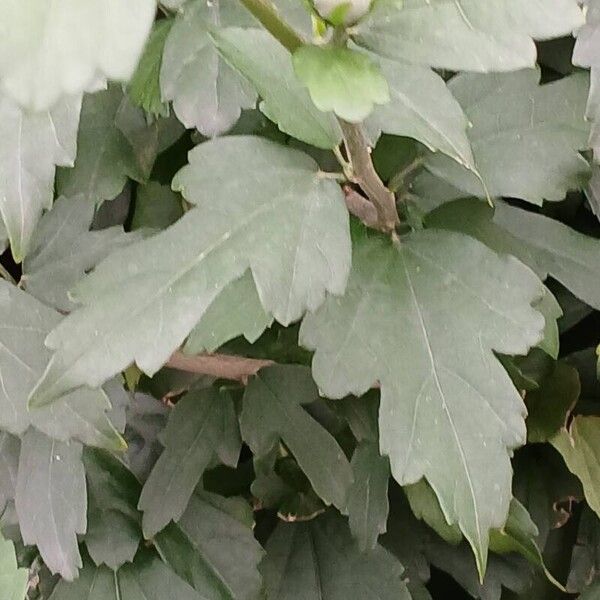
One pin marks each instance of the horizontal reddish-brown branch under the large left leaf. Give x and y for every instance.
(223, 366)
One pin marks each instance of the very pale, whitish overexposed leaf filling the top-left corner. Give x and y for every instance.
(49, 50)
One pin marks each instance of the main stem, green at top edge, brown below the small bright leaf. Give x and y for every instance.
(357, 146)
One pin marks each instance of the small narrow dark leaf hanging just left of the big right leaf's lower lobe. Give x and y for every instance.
(368, 506)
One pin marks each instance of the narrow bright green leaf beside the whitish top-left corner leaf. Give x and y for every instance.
(144, 87)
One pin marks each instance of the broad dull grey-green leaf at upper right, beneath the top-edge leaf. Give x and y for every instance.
(528, 148)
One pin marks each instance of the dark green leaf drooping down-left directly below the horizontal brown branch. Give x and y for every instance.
(199, 428)
